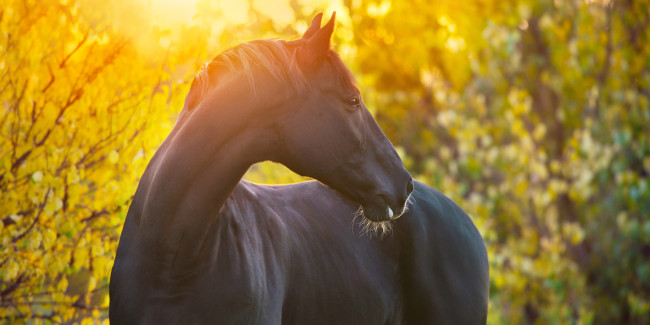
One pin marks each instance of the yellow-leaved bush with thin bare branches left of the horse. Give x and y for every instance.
(82, 113)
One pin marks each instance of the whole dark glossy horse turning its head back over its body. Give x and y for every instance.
(200, 245)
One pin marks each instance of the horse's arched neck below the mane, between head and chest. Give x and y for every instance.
(196, 169)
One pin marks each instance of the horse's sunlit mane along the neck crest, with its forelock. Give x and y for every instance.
(278, 57)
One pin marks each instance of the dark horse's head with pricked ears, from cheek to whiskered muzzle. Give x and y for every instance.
(331, 136)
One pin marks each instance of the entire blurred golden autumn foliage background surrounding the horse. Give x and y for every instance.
(533, 115)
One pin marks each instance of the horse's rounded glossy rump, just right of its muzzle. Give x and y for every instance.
(444, 262)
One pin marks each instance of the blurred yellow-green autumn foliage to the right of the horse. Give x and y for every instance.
(534, 116)
